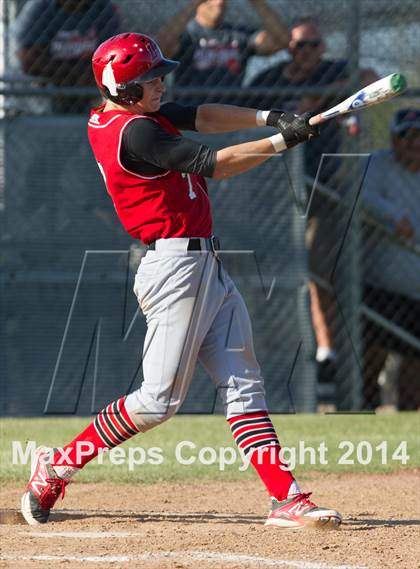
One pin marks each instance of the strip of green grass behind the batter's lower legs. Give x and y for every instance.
(212, 431)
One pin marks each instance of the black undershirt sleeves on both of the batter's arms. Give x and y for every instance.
(148, 149)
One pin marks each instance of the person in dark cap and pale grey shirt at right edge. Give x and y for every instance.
(392, 267)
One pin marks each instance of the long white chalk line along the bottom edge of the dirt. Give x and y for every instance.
(183, 557)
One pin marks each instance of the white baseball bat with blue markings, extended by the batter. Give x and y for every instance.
(376, 92)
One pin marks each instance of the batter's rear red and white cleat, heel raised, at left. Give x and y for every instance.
(43, 489)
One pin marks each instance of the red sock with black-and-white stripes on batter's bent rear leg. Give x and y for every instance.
(111, 427)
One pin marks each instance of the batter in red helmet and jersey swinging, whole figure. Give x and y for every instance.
(156, 179)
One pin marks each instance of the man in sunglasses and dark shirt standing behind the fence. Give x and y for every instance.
(308, 68)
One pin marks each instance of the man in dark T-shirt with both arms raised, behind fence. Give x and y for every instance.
(213, 52)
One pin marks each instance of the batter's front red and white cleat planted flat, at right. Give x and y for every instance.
(298, 511)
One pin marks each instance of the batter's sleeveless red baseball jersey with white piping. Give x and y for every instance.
(171, 204)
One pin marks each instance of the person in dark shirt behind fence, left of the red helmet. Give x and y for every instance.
(56, 40)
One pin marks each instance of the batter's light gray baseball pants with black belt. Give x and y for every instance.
(193, 312)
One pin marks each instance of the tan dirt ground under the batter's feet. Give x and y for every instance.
(217, 525)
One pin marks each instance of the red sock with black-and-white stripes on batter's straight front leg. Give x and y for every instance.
(255, 436)
